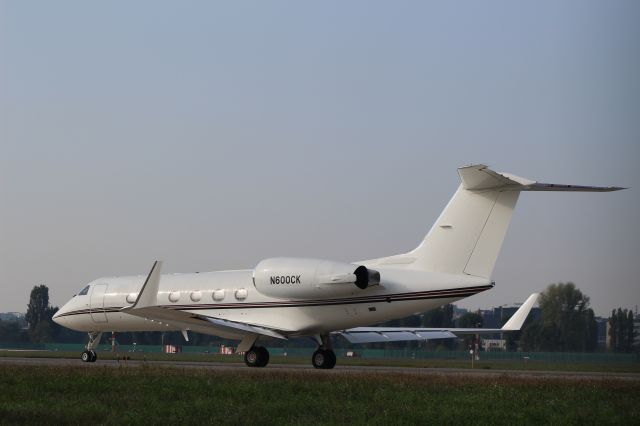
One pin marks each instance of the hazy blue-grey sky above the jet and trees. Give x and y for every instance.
(214, 135)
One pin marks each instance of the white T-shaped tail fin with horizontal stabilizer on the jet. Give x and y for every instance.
(468, 235)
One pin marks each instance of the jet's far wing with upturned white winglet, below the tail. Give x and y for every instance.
(397, 334)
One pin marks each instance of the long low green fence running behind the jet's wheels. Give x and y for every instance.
(558, 357)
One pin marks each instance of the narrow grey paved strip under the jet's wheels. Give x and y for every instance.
(344, 369)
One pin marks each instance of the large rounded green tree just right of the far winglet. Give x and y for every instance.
(566, 324)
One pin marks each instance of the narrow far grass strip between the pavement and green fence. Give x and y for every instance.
(633, 367)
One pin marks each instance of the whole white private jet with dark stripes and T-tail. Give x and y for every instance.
(293, 297)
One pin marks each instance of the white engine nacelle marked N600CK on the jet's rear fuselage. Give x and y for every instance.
(300, 278)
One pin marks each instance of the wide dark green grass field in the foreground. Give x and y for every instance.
(154, 395)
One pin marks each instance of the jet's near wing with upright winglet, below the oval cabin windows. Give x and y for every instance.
(145, 307)
